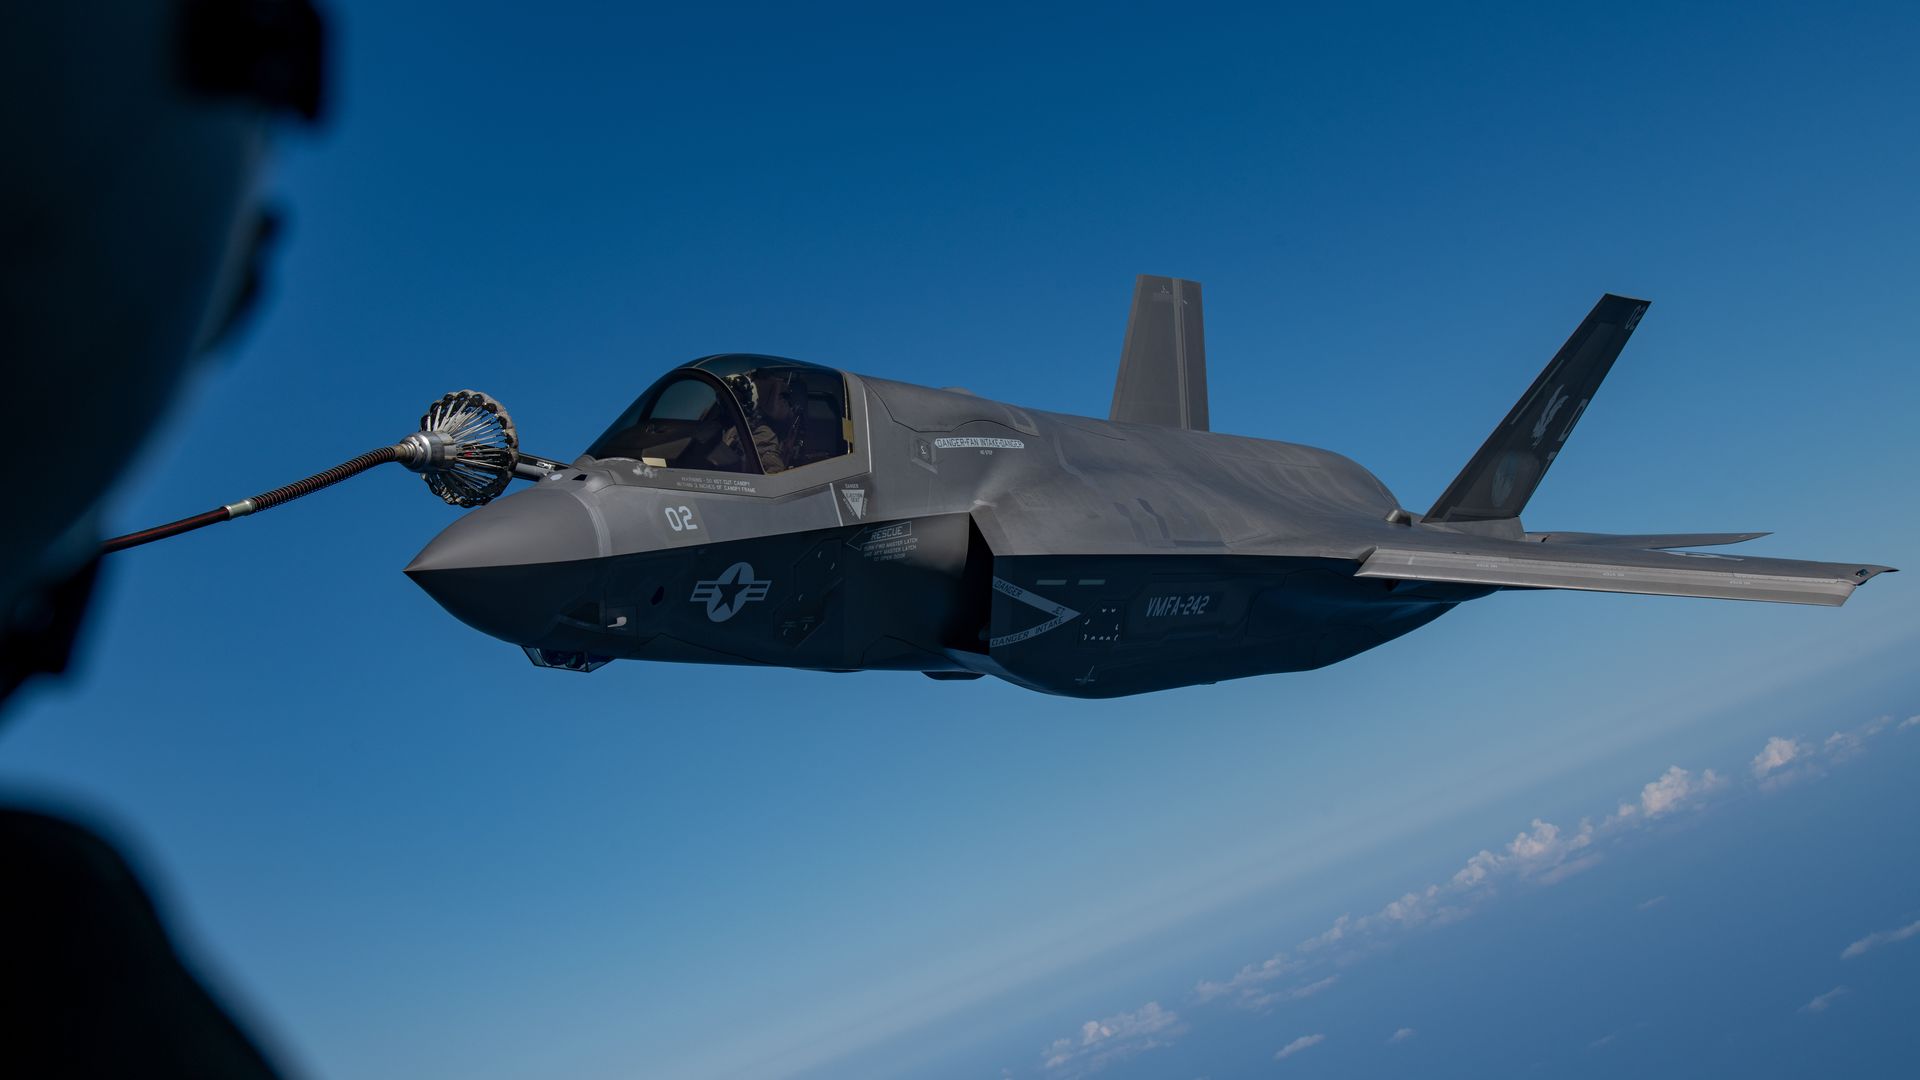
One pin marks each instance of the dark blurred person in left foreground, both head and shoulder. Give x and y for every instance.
(133, 247)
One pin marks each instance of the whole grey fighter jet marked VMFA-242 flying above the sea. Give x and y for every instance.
(754, 510)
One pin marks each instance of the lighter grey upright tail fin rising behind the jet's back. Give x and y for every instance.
(1163, 364)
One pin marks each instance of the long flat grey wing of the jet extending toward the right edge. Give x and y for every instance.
(1623, 570)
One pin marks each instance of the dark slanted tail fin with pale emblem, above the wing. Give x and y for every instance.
(1499, 481)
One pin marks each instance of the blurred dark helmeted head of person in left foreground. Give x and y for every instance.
(133, 245)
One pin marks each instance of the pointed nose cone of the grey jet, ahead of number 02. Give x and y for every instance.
(514, 568)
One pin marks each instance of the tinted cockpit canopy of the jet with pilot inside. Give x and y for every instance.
(736, 414)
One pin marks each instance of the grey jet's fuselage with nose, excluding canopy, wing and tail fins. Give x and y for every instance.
(959, 537)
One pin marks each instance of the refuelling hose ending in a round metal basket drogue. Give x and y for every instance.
(466, 451)
